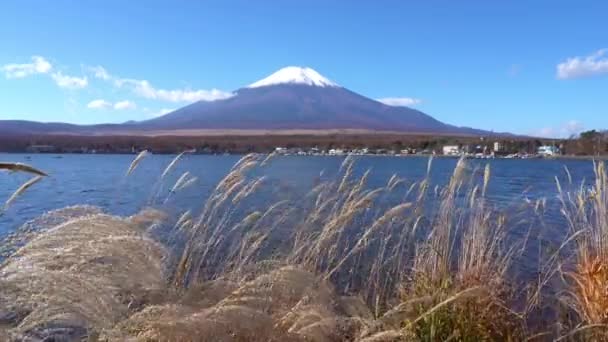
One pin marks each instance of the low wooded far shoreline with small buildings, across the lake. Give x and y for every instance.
(586, 145)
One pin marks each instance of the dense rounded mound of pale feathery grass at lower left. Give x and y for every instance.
(80, 277)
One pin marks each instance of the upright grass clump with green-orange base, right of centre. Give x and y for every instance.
(462, 270)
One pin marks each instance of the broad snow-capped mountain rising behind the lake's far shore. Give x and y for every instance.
(293, 98)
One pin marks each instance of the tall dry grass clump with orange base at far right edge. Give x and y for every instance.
(586, 212)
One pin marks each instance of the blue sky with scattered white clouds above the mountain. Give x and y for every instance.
(534, 67)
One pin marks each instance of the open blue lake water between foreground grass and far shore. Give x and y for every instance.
(100, 180)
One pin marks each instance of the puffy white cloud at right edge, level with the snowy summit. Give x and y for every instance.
(578, 67)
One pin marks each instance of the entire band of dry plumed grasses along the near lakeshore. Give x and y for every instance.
(343, 262)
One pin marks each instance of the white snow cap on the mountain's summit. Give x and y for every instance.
(295, 75)
